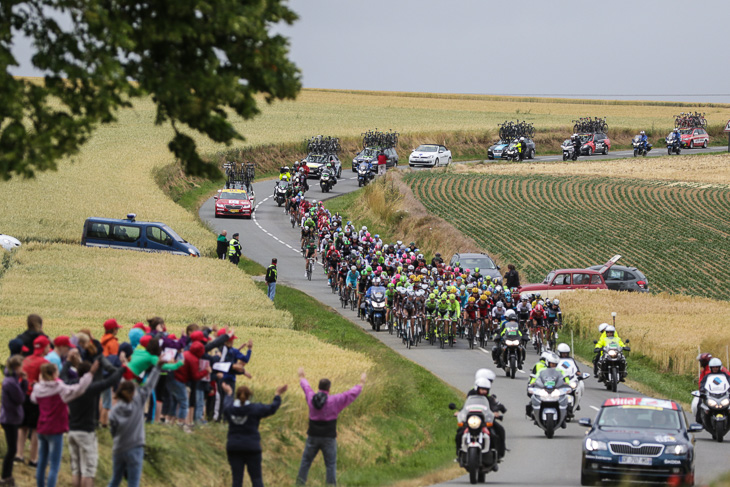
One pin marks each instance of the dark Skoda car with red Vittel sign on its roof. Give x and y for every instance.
(639, 438)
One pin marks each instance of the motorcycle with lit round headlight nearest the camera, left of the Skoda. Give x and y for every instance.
(476, 453)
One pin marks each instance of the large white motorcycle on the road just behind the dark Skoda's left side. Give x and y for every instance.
(549, 400)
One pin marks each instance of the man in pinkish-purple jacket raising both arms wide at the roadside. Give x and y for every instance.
(322, 432)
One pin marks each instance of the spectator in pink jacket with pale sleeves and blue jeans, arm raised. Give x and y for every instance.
(52, 394)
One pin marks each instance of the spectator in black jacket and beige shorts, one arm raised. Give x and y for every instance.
(82, 441)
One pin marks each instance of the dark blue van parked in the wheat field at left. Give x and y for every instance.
(131, 234)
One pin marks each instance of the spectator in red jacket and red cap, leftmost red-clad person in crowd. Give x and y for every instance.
(32, 369)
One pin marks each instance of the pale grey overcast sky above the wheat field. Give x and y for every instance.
(640, 49)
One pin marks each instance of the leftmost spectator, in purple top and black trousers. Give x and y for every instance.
(11, 415)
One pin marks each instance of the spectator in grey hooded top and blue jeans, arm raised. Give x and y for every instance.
(126, 422)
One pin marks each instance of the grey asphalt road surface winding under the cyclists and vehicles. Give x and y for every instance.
(533, 458)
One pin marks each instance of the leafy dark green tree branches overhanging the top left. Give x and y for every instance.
(196, 59)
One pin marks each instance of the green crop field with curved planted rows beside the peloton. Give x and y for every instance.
(678, 235)
